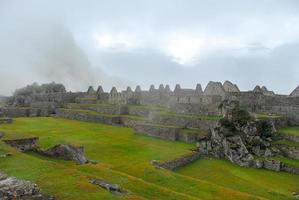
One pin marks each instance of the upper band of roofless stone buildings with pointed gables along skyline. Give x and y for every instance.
(45, 99)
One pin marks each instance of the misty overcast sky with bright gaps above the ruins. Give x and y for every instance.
(120, 43)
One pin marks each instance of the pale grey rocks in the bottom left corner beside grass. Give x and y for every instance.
(13, 188)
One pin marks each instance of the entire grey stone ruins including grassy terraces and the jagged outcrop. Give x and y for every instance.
(178, 115)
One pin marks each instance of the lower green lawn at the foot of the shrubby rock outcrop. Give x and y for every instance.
(264, 183)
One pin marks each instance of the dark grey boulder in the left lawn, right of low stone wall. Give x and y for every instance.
(67, 152)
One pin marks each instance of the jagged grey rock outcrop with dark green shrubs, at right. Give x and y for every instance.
(241, 139)
